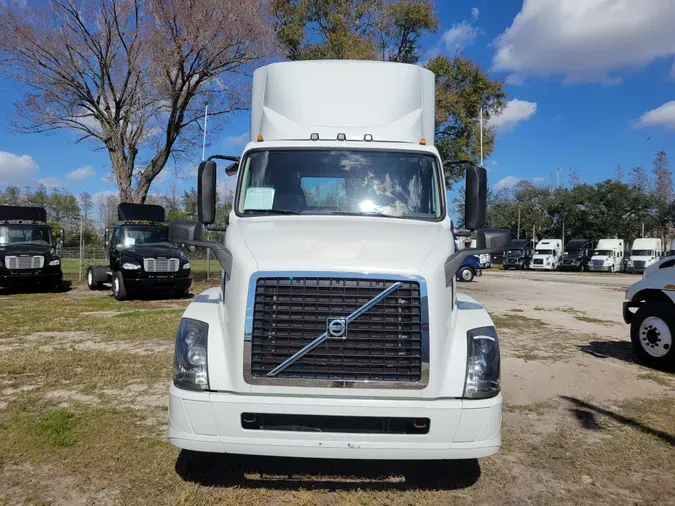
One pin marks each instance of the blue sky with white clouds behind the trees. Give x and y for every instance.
(591, 85)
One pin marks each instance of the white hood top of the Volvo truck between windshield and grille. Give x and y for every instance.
(339, 243)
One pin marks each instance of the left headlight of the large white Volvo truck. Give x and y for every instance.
(189, 366)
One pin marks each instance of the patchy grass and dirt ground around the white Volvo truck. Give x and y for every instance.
(84, 384)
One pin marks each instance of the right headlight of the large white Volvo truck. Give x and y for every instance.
(482, 364)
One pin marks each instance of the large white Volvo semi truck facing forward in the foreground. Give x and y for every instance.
(337, 331)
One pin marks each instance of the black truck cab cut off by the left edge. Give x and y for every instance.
(28, 255)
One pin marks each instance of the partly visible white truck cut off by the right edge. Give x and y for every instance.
(652, 326)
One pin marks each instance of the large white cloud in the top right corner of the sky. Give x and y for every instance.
(585, 40)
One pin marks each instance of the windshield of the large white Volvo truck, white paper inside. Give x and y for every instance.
(381, 183)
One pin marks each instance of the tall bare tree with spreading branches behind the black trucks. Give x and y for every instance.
(133, 75)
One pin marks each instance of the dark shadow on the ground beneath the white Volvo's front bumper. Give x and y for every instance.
(221, 470)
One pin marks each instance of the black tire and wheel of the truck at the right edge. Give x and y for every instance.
(651, 332)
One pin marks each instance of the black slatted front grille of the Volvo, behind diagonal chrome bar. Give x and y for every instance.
(383, 344)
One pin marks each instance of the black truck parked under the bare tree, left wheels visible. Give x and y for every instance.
(141, 257)
